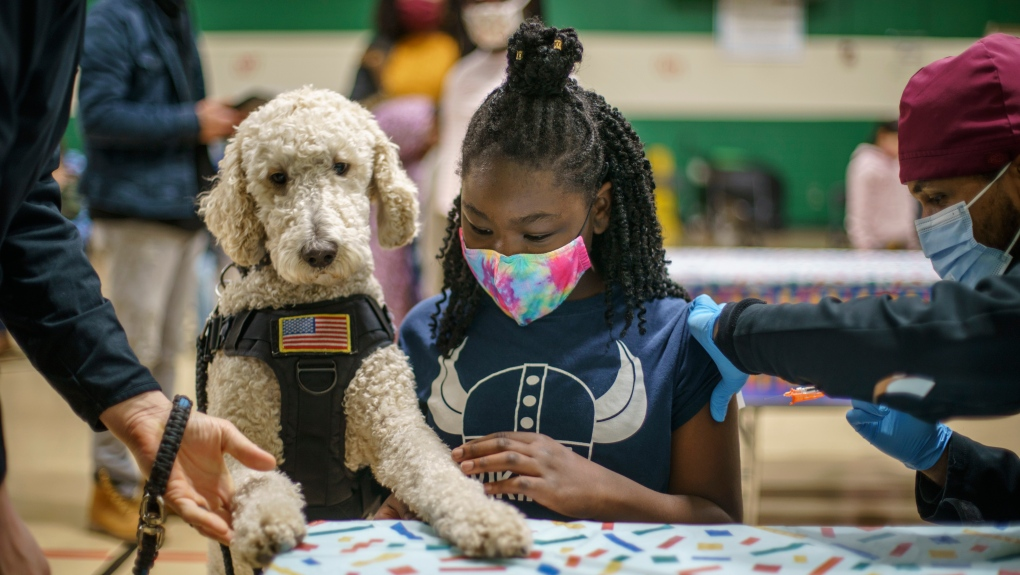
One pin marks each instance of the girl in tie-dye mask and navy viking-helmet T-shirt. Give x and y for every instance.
(532, 364)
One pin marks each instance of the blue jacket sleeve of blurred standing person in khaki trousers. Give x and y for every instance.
(110, 62)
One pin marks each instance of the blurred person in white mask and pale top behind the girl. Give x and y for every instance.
(489, 25)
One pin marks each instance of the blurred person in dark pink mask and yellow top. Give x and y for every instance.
(417, 43)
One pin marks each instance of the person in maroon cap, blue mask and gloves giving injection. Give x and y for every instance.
(923, 361)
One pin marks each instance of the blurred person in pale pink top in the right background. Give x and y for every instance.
(881, 213)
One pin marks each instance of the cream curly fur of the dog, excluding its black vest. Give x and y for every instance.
(303, 135)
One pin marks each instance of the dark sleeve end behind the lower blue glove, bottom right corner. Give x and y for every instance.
(983, 484)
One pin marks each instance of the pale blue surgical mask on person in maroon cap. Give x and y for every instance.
(948, 240)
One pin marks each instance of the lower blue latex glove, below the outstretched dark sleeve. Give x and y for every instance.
(917, 444)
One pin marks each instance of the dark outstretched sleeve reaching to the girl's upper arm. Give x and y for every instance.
(967, 341)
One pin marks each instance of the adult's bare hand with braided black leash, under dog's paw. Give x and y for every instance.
(200, 488)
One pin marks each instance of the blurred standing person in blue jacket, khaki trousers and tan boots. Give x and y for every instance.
(146, 122)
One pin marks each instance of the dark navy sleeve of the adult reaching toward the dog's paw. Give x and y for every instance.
(52, 303)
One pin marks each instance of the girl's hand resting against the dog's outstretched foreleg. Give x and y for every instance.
(547, 472)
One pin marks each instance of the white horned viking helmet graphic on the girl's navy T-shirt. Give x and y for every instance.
(619, 413)
